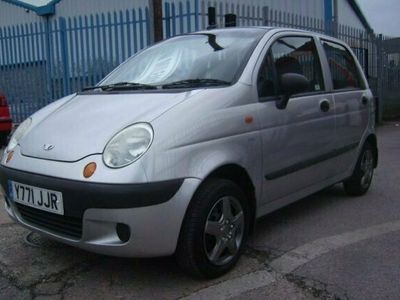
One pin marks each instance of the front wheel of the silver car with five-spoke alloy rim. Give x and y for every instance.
(214, 231)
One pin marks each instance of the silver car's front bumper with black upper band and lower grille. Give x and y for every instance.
(153, 212)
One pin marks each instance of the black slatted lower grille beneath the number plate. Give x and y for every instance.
(63, 225)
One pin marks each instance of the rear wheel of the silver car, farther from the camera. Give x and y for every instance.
(359, 183)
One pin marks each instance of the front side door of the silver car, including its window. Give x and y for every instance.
(297, 140)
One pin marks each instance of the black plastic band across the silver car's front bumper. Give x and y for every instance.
(79, 195)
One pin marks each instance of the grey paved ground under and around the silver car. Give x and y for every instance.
(327, 246)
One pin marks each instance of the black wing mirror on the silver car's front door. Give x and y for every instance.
(291, 84)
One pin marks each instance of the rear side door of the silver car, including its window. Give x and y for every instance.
(351, 98)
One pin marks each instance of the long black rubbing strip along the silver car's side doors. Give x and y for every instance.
(310, 162)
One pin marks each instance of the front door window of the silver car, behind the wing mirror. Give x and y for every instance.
(290, 55)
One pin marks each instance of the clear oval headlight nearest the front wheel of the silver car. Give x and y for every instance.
(128, 145)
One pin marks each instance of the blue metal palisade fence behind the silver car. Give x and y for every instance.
(45, 61)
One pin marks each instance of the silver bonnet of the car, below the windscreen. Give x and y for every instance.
(83, 125)
